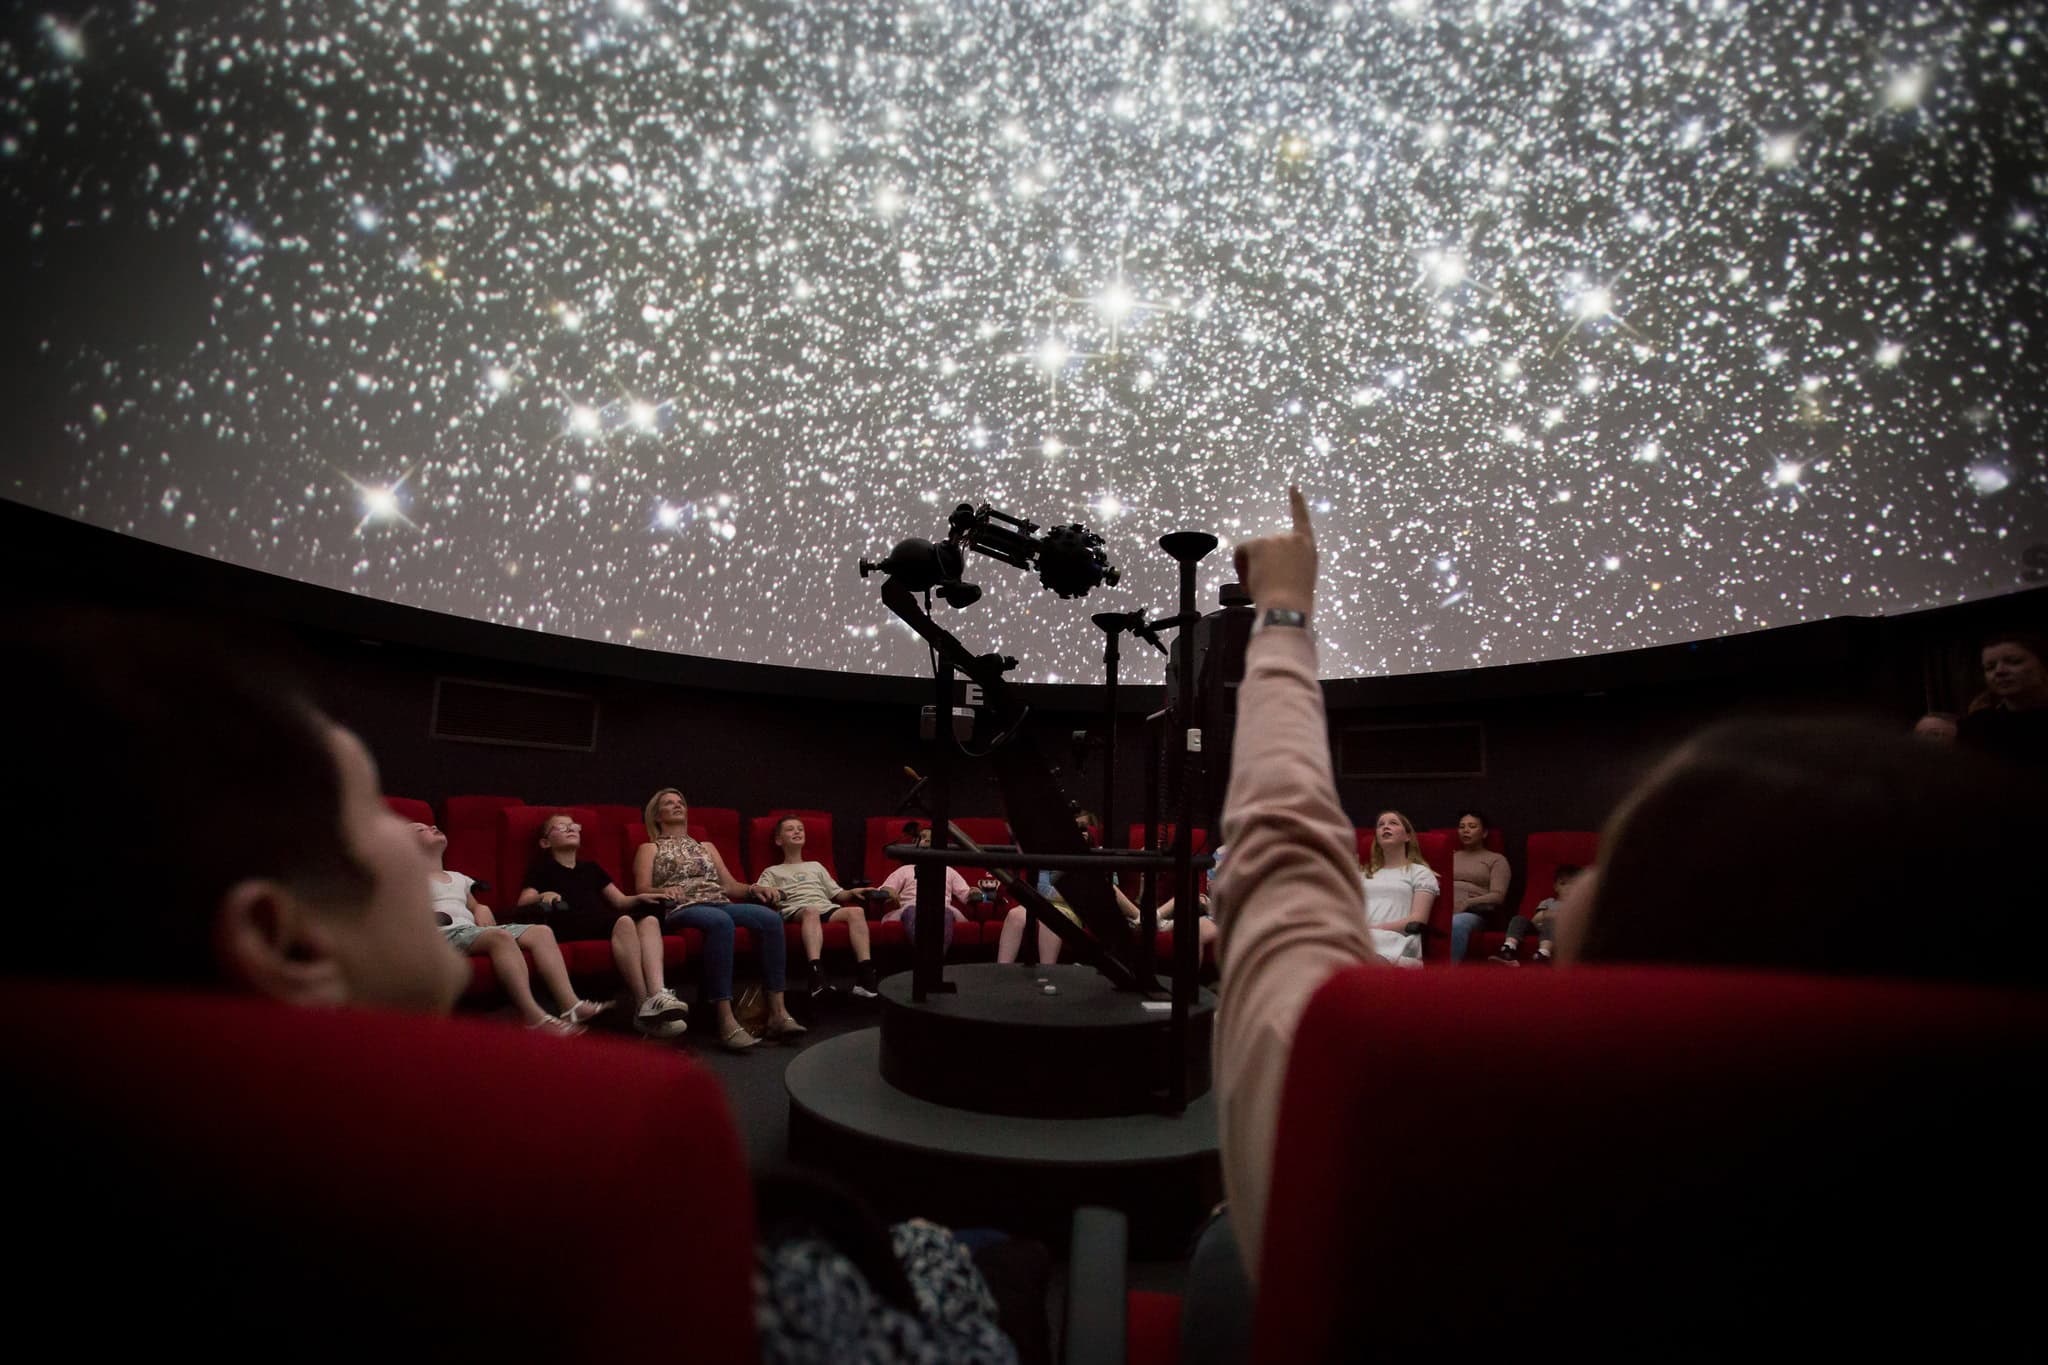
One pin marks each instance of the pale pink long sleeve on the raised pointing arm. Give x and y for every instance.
(1287, 908)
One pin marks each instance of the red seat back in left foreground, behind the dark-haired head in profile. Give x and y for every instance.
(316, 1184)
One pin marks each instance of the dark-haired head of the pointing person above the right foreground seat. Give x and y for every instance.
(1664, 869)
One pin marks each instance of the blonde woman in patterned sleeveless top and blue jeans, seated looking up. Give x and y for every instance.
(708, 897)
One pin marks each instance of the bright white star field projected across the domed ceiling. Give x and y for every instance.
(1584, 324)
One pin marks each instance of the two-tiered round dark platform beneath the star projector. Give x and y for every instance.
(1078, 1122)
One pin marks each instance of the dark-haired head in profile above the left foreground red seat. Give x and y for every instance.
(267, 863)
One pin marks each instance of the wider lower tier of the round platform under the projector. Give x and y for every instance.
(912, 1157)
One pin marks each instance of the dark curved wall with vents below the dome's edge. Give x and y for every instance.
(1564, 742)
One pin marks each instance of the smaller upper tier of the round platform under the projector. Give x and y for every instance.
(1037, 1043)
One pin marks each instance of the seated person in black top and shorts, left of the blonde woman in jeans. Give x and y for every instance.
(581, 904)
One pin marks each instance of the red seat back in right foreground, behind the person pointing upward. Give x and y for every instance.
(1725, 1159)
